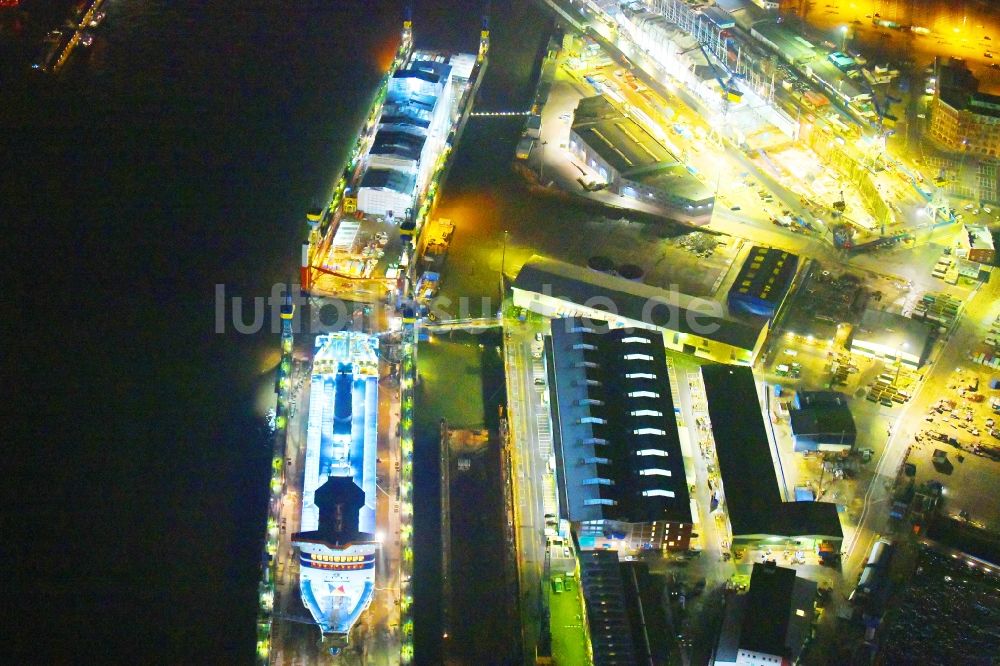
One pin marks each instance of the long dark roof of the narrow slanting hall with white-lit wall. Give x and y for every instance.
(636, 301)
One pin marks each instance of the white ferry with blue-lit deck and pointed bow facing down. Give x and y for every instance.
(338, 542)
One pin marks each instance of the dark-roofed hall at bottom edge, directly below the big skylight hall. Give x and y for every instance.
(625, 612)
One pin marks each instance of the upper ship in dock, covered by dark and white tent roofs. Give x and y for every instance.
(361, 243)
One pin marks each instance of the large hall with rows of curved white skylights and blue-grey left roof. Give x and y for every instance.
(620, 472)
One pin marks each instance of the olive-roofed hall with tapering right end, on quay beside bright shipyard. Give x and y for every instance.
(632, 161)
